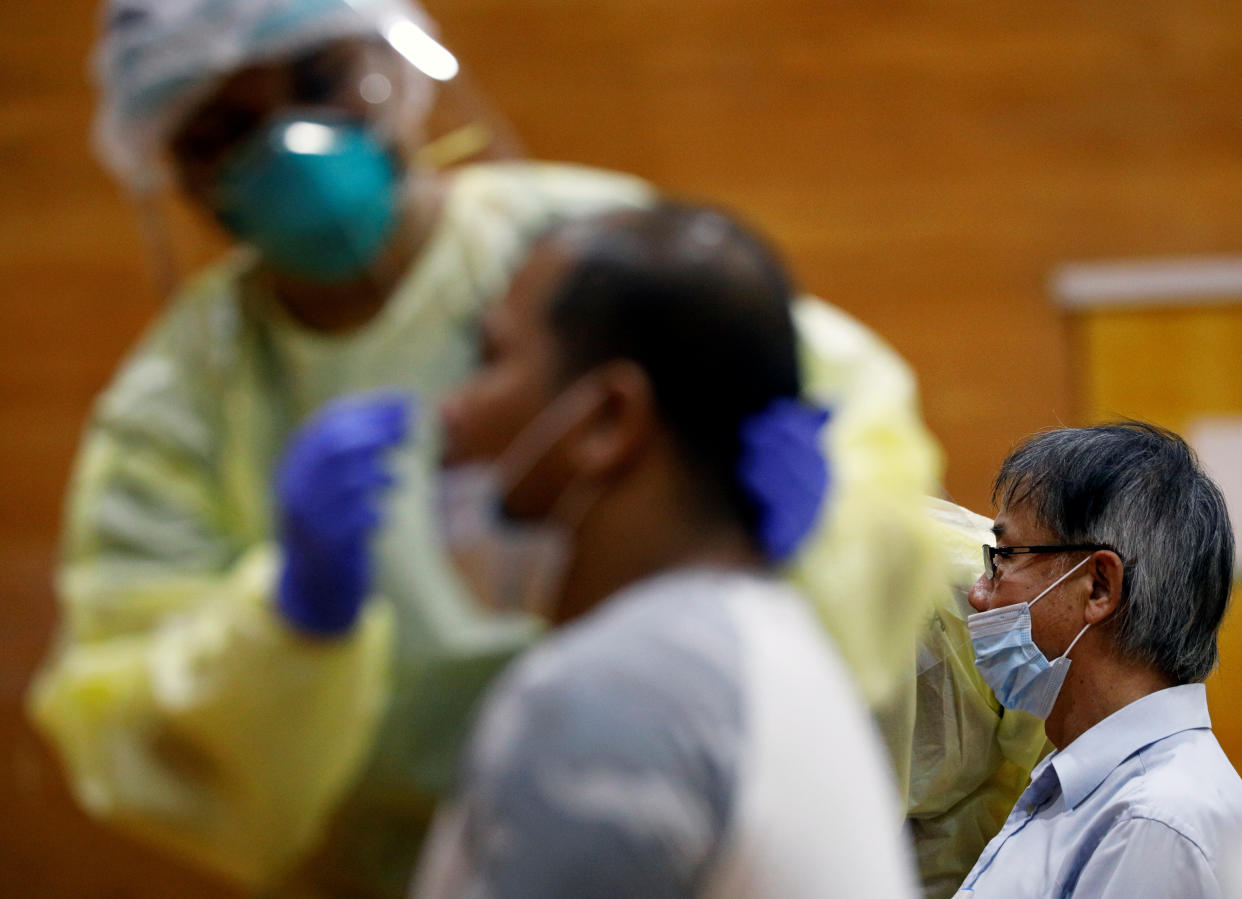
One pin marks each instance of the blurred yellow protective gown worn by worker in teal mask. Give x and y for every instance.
(188, 713)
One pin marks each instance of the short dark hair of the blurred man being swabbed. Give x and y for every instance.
(702, 305)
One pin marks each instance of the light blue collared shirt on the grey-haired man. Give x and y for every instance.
(1143, 805)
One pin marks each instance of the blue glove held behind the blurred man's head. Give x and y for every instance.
(783, 470)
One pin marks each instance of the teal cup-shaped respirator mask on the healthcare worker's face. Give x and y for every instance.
(316, 197)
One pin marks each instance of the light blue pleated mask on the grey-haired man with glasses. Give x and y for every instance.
(1012, 664)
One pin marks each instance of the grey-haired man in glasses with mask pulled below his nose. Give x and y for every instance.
(1115, 559)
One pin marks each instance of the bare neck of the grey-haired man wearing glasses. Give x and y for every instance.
(1095, 690)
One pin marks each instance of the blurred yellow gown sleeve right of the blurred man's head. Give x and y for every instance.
(875, 563)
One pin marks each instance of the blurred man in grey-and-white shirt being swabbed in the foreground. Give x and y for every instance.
(635, 435)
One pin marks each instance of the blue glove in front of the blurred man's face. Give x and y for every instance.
(329, 487)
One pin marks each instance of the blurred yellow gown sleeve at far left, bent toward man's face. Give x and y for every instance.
(183, 708)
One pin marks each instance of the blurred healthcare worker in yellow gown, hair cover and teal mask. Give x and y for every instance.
(206, 693)
